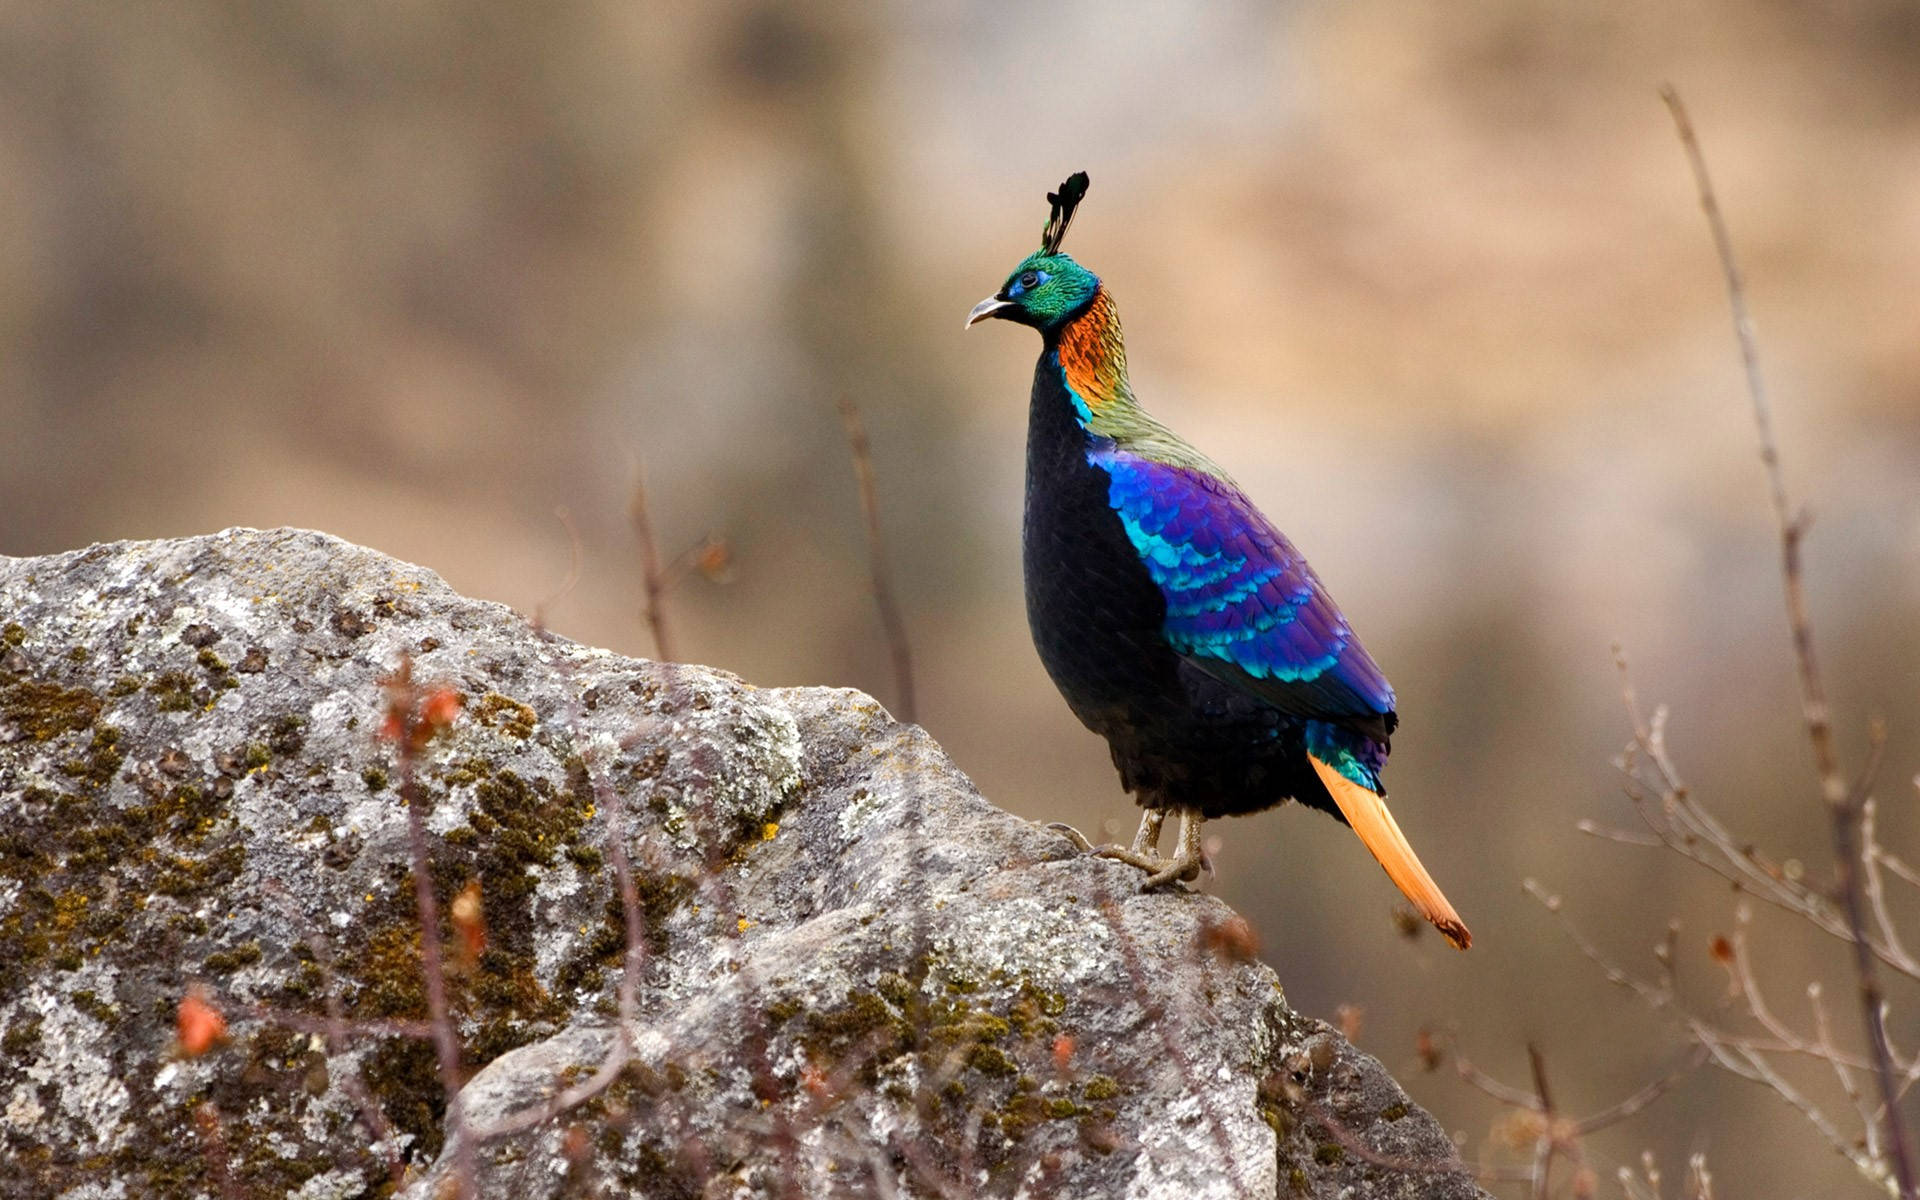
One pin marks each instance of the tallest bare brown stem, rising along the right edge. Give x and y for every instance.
(1835, 790)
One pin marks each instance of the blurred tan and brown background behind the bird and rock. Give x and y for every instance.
(1429, 279)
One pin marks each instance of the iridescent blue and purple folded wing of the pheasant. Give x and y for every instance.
(1241, 602)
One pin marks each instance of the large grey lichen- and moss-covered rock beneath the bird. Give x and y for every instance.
(857, 976)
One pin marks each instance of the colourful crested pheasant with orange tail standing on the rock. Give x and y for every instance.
(1174, 615)
